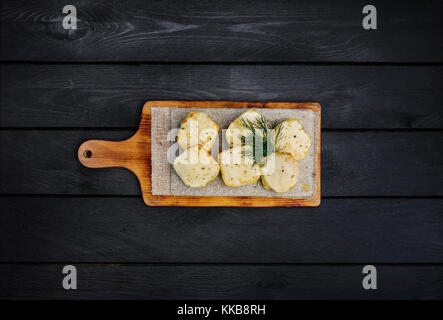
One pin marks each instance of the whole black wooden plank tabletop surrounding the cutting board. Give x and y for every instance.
(382, 149)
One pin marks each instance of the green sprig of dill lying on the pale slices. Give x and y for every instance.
(259, 131)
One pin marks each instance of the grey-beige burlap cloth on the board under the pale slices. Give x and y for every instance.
(166, 182)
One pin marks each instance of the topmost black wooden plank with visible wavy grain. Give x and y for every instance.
(224, 31)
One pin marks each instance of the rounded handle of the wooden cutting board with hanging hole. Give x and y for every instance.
(106, 154)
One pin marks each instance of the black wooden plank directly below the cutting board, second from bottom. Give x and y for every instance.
(97, 229)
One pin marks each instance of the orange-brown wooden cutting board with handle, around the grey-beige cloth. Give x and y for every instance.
(134, 154)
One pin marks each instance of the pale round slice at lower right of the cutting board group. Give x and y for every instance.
(285, 174)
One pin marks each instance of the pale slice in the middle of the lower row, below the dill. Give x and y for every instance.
(237, 170)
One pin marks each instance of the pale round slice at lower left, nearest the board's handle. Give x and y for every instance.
(196, 167)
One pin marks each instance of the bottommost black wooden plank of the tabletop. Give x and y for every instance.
(220, 282)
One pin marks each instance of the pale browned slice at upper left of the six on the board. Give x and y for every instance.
(197, 129)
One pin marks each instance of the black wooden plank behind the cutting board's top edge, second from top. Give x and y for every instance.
(352, 97)
